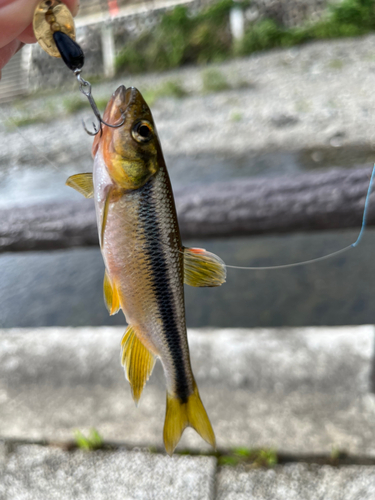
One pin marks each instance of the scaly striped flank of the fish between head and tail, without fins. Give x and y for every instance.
(162, 323)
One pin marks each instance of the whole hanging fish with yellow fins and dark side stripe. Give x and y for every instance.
(146, 264)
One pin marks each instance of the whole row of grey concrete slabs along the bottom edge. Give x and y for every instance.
(32, 472)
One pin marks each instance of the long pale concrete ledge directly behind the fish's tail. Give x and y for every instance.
(294, 390)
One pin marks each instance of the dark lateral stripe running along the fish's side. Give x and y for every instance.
(149, 221)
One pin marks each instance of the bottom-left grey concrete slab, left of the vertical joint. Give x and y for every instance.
(45, 473)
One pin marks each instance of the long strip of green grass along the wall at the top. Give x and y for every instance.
(184, 38)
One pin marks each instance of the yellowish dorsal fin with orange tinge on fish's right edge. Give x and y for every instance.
(202, 268)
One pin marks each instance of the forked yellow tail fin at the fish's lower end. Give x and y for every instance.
(180, 415)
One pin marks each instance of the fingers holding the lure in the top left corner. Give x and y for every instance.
(16, 29)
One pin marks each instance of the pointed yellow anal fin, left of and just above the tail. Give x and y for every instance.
(137, 361)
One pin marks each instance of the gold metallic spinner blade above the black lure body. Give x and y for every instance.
(51, 16)
